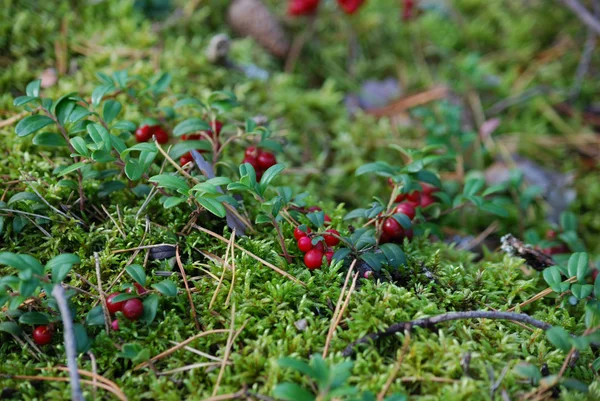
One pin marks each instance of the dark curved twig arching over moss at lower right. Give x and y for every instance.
(446, 317)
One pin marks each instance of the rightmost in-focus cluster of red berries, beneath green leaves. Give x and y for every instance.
(392, 230)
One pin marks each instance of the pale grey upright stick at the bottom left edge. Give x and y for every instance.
(69, 336)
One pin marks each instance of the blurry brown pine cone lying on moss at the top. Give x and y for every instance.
(252, 18)
